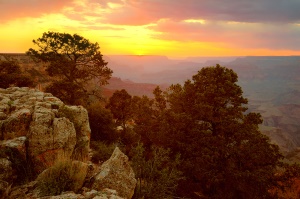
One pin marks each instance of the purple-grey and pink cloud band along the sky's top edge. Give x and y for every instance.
(137, 12)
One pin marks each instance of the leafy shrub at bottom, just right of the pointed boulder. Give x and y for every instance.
(157, 176)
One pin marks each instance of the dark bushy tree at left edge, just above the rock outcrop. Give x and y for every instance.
(12, 75)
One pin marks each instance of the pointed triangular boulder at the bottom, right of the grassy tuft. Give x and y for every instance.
(117, 174)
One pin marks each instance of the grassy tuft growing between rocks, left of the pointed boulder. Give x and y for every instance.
(64, 175)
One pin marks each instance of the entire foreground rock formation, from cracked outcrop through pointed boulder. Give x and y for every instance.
(37, 130)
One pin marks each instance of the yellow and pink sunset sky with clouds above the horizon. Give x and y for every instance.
(175, 28)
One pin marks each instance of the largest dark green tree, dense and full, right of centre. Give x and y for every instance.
(224, 154)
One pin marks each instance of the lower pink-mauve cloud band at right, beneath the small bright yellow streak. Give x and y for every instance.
(242, 35)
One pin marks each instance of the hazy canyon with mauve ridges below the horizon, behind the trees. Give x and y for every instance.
(271, 84)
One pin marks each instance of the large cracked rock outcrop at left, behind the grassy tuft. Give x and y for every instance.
(41, 127)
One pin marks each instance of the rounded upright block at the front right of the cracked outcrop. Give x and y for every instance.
(49, 139)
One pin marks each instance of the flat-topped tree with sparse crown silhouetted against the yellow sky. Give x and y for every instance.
(73, 62)
